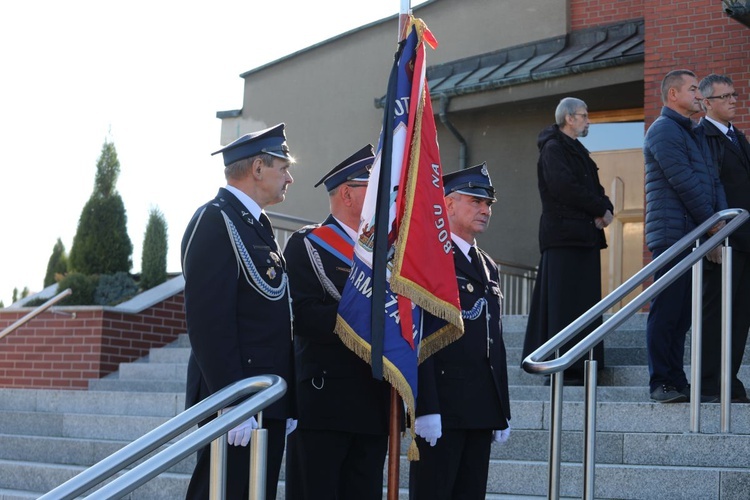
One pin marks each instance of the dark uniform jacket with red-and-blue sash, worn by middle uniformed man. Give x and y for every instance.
(335, 388)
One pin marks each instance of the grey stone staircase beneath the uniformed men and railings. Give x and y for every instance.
(643, 449)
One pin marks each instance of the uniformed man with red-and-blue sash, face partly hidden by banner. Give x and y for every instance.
(342, 436)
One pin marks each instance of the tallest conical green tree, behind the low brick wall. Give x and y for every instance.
(101, 244)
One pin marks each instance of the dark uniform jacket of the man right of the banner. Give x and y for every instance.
(466, 382)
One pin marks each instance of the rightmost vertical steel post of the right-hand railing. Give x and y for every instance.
(726, 337)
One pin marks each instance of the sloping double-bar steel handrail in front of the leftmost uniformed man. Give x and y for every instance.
(273, 388)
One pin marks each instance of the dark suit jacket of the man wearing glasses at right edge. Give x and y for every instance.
(733, 166)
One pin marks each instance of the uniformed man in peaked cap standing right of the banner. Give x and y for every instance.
(462, 402)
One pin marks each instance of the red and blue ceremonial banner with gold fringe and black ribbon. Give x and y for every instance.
(401, 304)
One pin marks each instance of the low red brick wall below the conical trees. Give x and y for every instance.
(64, 350)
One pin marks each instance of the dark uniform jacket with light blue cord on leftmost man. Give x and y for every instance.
(236, 302)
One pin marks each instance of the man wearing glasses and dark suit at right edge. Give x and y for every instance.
(731, 155)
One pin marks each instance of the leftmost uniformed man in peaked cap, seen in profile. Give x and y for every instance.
(237, 301)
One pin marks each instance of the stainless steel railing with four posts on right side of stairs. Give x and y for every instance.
(534, 363)
